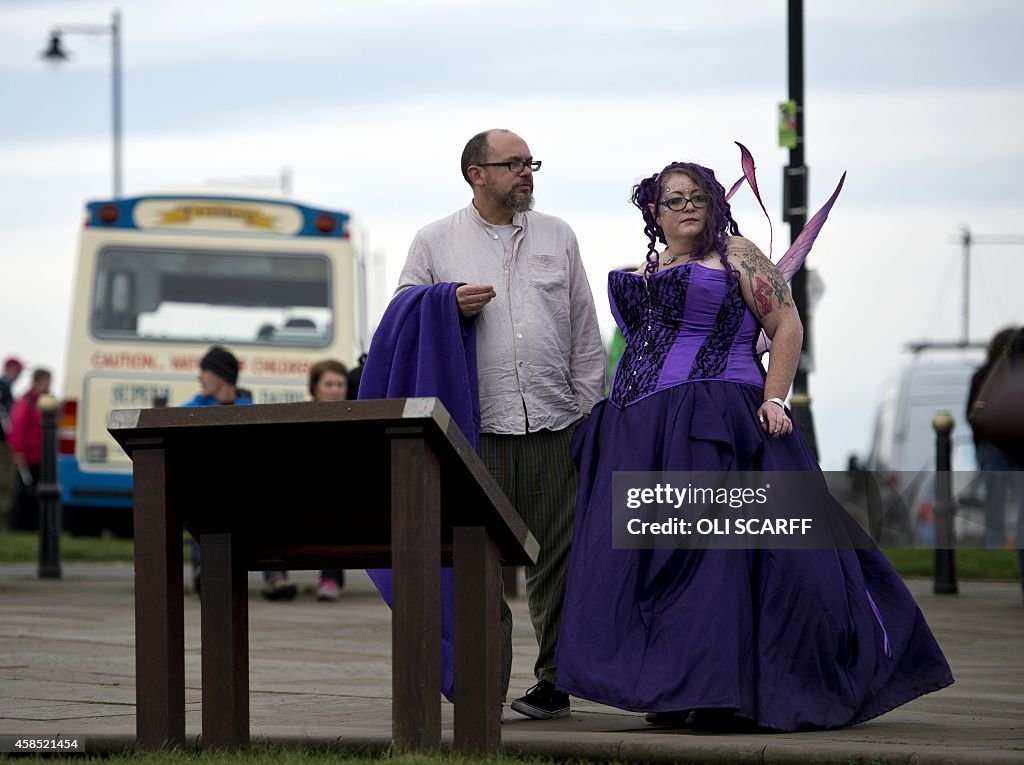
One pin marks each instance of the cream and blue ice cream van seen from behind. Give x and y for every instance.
(161, 279)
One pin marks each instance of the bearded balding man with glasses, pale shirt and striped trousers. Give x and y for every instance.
(540, 366)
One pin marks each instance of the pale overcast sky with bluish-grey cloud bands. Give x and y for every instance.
(369, 104)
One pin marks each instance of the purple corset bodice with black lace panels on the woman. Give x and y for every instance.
(695, 326)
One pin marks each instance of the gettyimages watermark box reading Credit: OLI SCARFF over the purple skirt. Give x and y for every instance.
(731, 511)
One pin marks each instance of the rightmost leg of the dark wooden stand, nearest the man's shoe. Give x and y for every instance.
(478, 650)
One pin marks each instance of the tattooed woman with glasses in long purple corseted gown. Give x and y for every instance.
(782, 640)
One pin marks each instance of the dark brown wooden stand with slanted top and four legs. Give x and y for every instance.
(381, 484)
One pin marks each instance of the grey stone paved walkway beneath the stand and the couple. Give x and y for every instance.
(320, 674)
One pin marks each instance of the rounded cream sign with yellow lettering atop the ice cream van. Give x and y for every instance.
(208, 216)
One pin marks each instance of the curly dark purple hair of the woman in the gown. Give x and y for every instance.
(648, 195)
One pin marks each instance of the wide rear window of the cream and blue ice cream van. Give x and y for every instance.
(208, 296)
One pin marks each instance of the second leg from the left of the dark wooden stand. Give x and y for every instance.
(226, 645)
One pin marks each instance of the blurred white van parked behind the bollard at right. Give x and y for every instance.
(904, 448)
